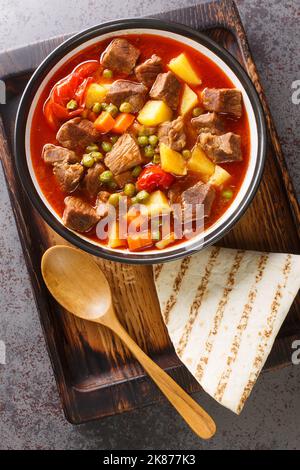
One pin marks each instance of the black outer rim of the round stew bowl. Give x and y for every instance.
(109, 27)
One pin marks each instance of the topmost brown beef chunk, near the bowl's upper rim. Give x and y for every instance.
(120, 55)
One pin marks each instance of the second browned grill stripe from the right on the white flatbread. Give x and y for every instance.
(242, 325)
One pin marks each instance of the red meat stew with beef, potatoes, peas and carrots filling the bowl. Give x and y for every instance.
(158, 125)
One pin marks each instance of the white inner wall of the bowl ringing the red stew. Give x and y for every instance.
(222, 65)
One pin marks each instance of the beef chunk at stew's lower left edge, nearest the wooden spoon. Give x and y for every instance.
(79, 215)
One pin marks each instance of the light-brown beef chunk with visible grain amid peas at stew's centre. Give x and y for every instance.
(124, 155)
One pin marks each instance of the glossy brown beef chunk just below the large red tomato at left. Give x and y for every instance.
(77, 133)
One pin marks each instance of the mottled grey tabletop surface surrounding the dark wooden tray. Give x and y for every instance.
(30, 412)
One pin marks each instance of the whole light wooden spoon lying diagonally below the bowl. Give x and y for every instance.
(78, 284)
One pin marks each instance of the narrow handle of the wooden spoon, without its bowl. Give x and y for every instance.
(198, 420)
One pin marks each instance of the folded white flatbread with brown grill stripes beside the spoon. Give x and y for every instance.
(223, 309)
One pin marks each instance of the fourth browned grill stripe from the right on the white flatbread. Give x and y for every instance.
(197, 301)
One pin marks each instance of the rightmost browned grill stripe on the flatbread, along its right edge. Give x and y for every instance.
(266, 334)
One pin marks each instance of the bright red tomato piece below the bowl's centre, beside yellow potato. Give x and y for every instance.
(153, 177)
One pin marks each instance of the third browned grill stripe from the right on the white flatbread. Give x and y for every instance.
(219, 314)
